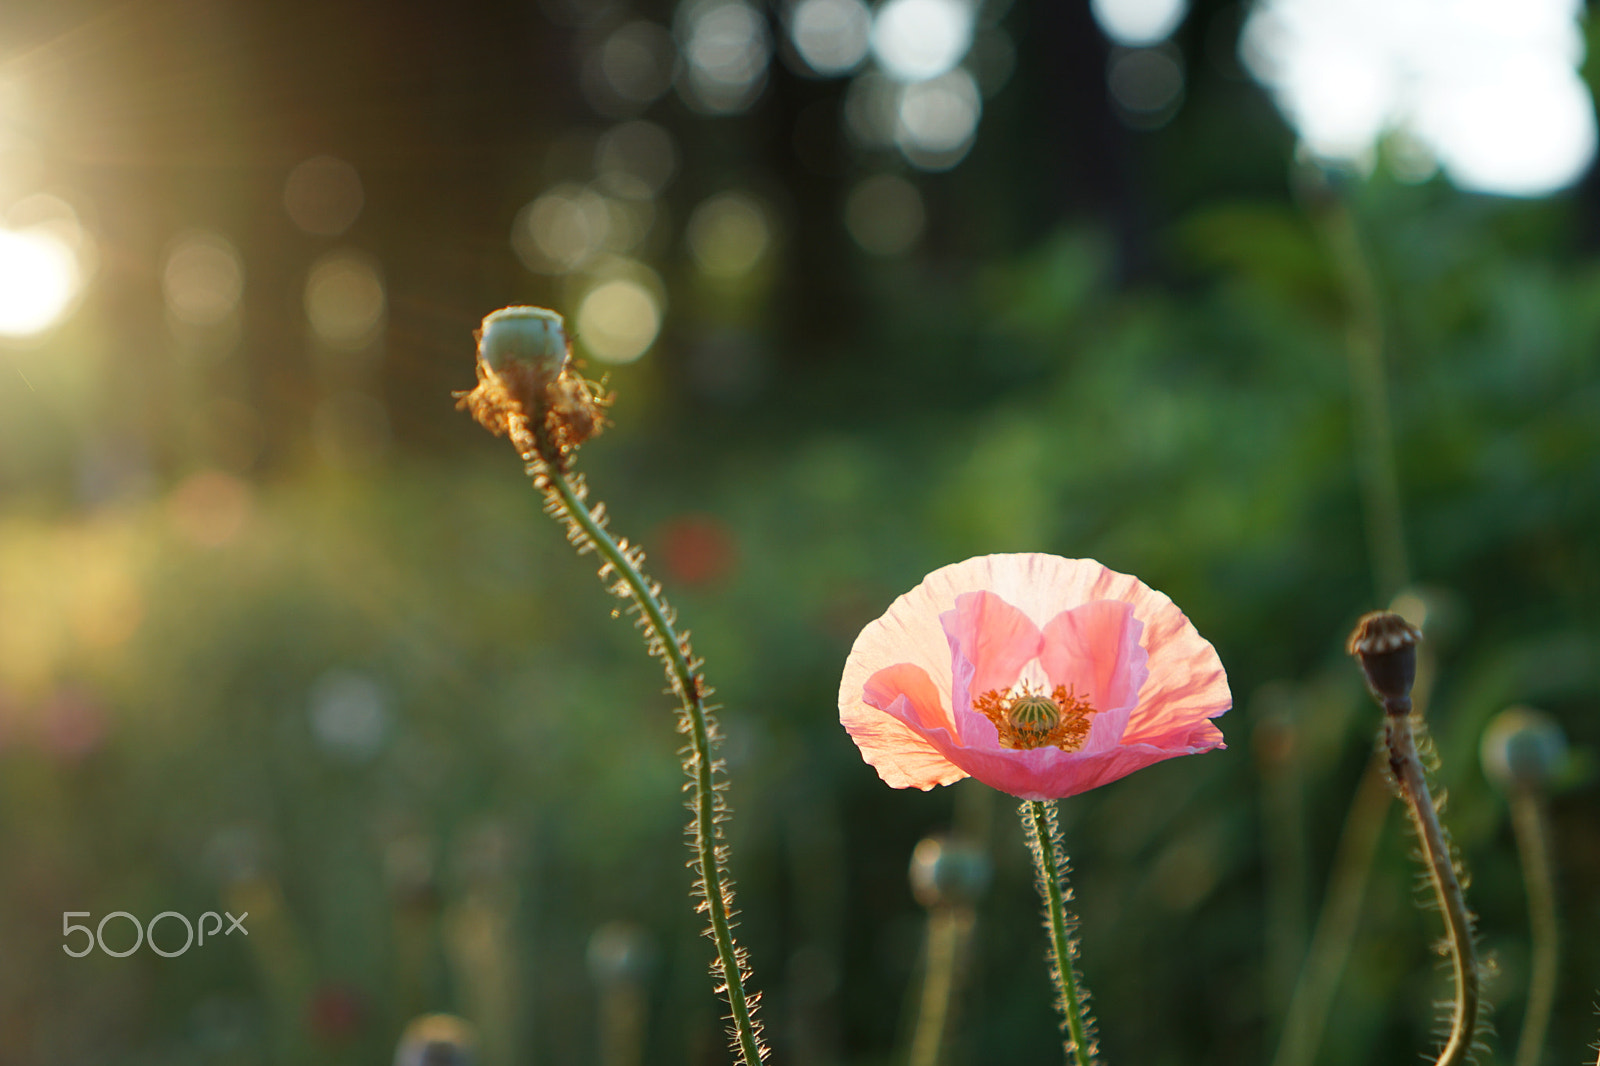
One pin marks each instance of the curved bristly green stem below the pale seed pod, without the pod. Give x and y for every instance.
(586, 529)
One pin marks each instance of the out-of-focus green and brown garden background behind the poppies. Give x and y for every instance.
(284, 633)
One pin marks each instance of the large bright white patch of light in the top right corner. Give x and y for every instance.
(1487, 89)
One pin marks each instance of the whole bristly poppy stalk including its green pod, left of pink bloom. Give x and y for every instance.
(530, 391)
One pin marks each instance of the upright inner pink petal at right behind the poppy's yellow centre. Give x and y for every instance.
(1095, 649)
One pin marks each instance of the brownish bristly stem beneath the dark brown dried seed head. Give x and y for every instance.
(1442, 873)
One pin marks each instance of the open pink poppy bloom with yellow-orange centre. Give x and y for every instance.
(1036, 675)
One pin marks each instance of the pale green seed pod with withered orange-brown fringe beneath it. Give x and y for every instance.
(529, 388)
